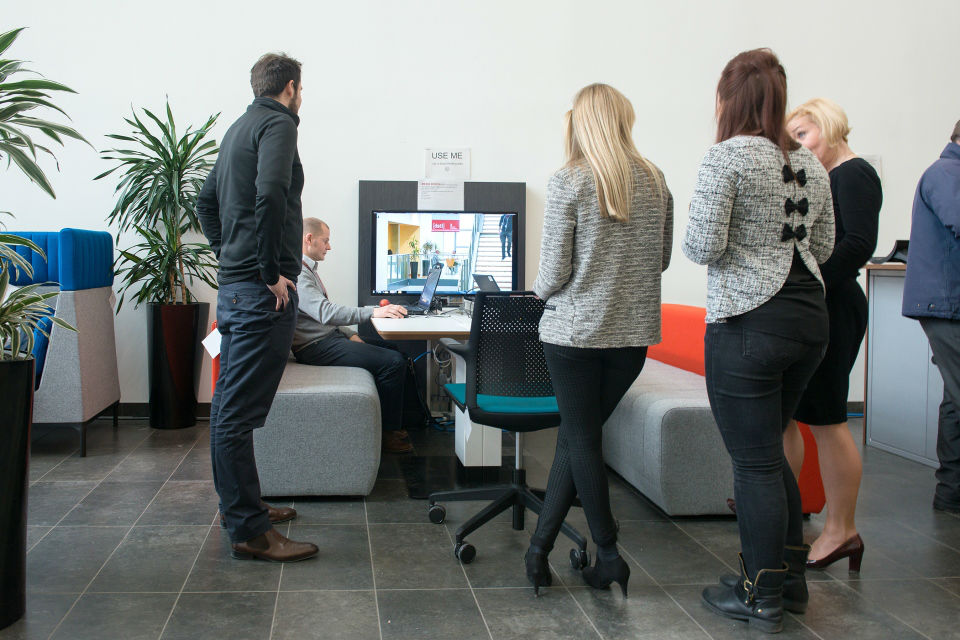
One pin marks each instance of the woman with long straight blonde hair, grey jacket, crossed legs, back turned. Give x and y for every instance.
(607, 237)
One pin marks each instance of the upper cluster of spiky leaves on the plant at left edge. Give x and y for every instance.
(17, 99)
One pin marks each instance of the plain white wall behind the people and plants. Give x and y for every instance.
(384, 80)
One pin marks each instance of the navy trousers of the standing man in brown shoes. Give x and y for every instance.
(254, 348)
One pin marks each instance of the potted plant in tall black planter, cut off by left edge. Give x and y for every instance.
(21, 312)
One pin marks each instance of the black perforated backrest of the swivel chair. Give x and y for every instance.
(505, 336)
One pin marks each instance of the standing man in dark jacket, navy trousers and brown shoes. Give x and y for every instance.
(250, 211)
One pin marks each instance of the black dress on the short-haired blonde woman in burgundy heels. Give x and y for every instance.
(857, 197)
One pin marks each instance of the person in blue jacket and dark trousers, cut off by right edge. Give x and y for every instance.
(931, 294)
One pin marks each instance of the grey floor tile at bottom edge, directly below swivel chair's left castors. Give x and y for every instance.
(429, 614)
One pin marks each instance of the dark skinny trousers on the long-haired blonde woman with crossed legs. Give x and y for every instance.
(589, 384)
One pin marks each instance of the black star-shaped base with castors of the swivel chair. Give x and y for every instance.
(516, 496)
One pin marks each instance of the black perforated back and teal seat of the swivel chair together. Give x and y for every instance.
(508, 384)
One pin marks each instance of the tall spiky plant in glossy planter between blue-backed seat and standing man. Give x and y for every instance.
(160, 177)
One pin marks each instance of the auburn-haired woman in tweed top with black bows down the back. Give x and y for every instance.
(761, 218)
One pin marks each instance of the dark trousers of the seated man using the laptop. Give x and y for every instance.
(387, 365)
